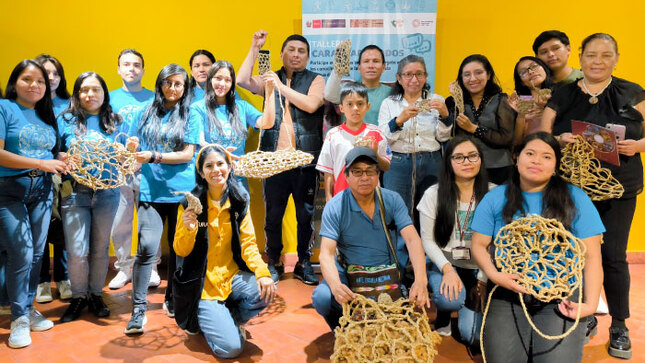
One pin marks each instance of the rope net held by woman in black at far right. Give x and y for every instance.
(580, 167)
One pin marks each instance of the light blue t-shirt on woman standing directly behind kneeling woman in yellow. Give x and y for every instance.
(248, 117)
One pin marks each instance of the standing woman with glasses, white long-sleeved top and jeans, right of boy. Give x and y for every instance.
(414, 132)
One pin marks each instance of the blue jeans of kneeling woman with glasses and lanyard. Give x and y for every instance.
(469, 322)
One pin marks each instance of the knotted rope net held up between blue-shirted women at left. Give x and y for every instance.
(100, 163)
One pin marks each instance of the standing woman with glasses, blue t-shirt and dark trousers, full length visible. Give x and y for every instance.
(167, 146)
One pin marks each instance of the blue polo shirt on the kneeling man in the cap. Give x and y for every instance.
(361, 239)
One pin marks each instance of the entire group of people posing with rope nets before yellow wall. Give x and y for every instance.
(451, 179)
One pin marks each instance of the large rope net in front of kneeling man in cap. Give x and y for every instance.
(383, 331)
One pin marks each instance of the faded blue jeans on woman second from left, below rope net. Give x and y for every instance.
(87, 222)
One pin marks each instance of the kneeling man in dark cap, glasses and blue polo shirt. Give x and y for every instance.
(351, 223)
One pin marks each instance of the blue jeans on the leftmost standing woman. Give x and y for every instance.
(25, 212)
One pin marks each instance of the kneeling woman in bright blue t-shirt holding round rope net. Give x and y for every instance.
(536, 188)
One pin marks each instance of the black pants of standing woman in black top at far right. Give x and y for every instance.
(616, 215)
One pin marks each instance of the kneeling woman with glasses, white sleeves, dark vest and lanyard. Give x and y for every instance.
(446, 236)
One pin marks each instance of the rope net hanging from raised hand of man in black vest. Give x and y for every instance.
(263, 164)
